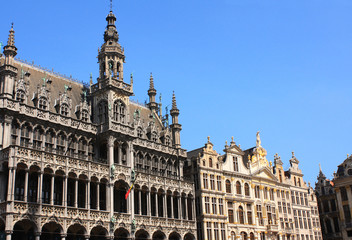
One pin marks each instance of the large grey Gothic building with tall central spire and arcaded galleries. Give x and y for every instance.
(70, 153)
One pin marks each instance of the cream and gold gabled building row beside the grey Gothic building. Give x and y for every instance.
(240, 195)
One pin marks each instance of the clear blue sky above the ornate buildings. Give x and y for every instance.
(237, 66)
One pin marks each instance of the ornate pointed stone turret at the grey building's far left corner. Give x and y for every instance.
(8, 71)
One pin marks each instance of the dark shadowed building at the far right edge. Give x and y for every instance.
(335, 202)
